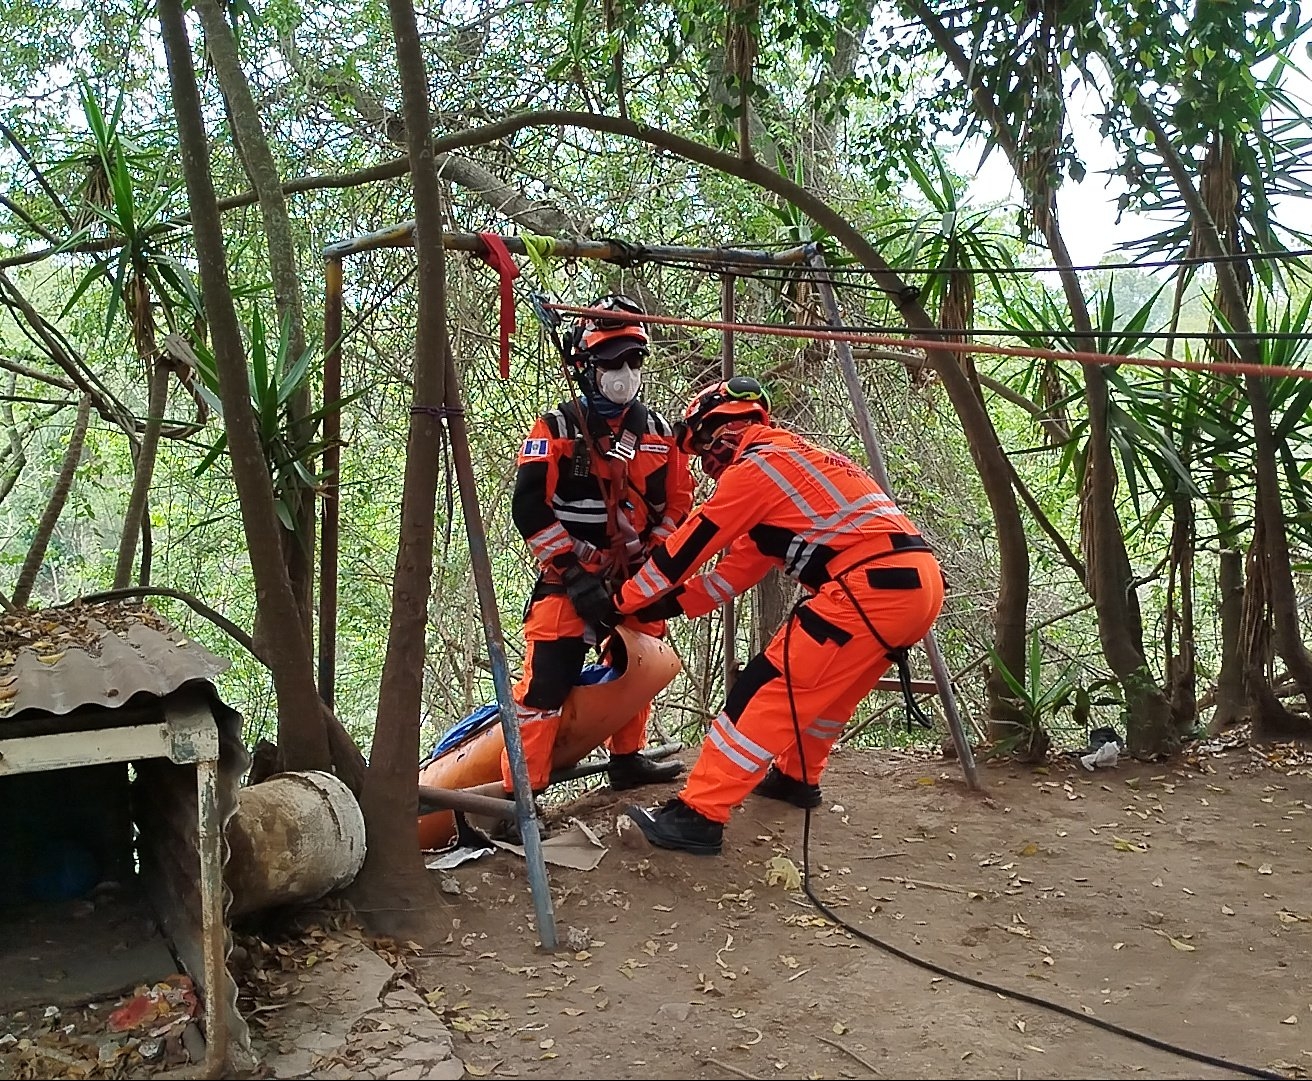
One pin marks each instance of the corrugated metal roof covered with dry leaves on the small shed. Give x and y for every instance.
(60, 661)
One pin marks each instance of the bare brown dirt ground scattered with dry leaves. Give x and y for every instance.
(1171, 899)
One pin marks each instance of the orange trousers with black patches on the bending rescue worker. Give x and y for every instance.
(834, 663)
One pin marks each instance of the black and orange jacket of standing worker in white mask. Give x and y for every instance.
(560, 503)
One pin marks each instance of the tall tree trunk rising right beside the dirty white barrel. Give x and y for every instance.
(394, 891)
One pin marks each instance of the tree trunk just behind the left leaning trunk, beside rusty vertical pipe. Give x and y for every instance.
(298, 544)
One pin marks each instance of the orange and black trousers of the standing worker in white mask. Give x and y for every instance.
(557, 650)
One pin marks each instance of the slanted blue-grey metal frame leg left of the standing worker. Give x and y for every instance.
(486, 590)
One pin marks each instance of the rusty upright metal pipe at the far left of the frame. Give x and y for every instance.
(331, 506)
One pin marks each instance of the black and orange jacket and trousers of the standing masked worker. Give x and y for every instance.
(578, 507)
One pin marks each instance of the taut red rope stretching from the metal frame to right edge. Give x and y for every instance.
(1220, 368)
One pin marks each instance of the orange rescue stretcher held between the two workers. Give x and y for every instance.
(592, 714)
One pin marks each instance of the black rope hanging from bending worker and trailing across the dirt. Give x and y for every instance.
(949, 974)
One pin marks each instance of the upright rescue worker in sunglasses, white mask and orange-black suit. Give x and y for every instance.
(600, 481)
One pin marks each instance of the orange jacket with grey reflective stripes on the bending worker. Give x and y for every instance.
(783, 503)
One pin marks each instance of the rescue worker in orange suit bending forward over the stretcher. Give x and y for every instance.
(874, 590)
